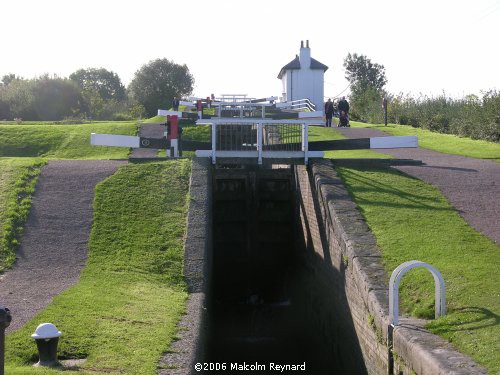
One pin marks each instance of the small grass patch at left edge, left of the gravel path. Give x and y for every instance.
(18, 178)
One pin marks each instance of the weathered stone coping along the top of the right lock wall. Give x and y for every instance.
(423, 351)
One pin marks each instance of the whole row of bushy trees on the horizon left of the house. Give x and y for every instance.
(94, 93)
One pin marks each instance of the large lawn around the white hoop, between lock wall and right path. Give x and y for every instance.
(412, 220)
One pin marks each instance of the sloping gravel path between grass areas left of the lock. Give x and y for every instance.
(54, 245)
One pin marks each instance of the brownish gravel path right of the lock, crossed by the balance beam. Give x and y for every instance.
(472, 186)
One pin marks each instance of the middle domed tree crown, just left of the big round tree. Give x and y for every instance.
(104, 82)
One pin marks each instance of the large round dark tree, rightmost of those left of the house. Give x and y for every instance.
(156, 83)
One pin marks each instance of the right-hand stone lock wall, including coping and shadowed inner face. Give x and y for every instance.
(347, 289)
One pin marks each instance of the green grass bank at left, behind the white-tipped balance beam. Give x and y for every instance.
(62, 141)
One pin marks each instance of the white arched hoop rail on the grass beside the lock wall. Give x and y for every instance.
(397, 275)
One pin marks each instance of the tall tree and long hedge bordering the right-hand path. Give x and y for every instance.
(472, 116)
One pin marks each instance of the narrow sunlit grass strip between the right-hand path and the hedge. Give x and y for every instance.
(445, 143)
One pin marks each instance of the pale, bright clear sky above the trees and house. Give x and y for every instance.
(235, 47)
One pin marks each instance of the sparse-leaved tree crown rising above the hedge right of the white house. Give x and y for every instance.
(363, 74)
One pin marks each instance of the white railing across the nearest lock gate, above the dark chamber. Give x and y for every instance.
(259, 139)
